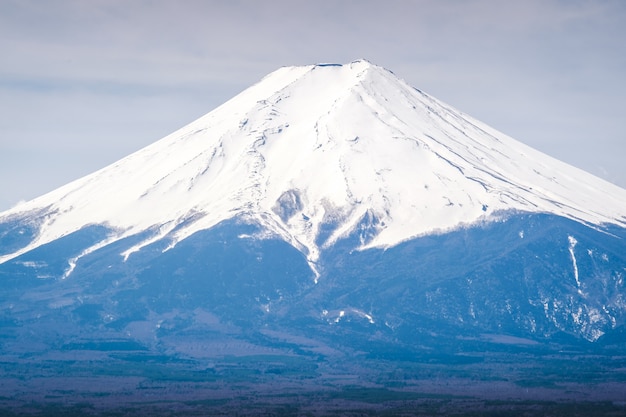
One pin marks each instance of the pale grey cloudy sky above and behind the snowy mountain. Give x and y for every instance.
(86, 82)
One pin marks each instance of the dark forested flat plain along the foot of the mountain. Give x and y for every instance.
(288, 385)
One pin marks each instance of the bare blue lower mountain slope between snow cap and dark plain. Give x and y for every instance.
(532, 276)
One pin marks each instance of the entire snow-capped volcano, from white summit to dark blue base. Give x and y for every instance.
(330, 226)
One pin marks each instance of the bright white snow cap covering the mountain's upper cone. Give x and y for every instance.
(336, 148)
